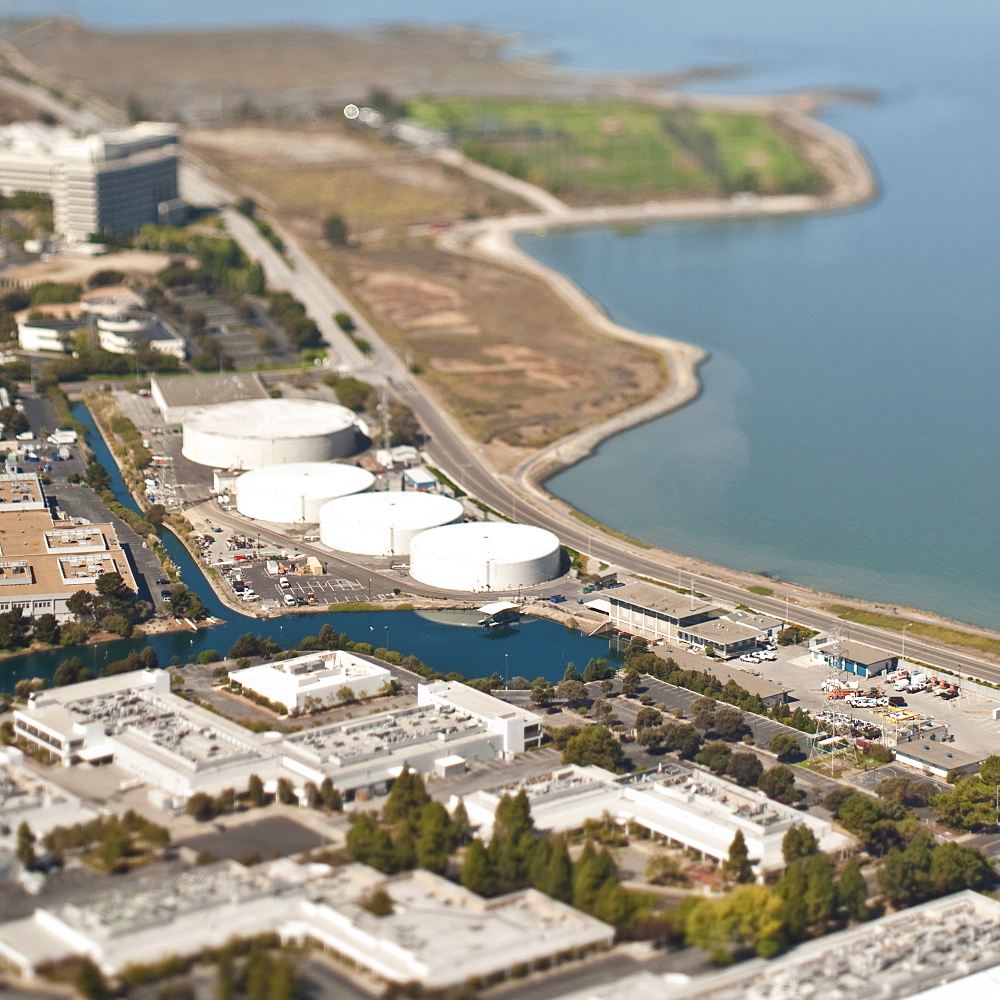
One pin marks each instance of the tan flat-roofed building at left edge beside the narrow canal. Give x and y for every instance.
(43, 562)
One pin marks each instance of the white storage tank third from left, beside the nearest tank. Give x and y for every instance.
(383, 524)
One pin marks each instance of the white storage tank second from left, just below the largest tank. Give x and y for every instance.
(294, 494)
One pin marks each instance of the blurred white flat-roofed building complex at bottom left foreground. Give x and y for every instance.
(182, 913)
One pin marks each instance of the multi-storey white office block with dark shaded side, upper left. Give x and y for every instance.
(109, 183)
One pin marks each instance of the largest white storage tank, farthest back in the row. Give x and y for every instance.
(252, 433)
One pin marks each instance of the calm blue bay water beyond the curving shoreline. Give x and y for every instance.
(845, 436)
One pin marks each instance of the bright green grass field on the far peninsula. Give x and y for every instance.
(617, 150)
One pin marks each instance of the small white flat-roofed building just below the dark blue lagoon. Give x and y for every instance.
(312, 681)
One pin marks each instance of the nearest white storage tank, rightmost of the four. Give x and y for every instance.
(494, 556)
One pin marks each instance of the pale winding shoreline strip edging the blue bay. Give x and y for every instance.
(853, 185)
